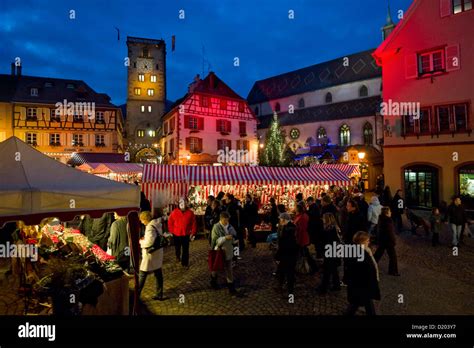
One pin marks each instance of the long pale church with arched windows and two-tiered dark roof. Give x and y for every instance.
(328, 106)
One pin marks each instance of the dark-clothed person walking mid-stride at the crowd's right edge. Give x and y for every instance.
(387, 241)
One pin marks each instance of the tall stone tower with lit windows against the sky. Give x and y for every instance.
(146, 97)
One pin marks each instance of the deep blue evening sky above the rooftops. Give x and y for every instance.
(257, 31)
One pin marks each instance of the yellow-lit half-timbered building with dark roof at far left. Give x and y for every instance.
(58, 116)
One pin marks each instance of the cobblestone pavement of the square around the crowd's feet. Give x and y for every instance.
(432, 282)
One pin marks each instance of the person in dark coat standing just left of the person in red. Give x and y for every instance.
(287, 252)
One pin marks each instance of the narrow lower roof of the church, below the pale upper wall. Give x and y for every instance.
(336, 111)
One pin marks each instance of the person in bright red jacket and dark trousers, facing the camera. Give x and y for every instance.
(182, 225)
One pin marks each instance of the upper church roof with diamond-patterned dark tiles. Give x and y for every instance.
(362, 66)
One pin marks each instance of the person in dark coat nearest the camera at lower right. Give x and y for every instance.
(362, 278)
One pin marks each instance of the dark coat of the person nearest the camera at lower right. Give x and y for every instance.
(361, 279)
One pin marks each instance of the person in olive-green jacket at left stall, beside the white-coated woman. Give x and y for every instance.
(118, 241)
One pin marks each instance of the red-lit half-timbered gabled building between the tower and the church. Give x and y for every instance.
(210, 125)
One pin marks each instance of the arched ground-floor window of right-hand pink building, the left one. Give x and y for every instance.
(421, 186)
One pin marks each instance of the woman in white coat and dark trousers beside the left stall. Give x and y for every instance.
(151, 262)
